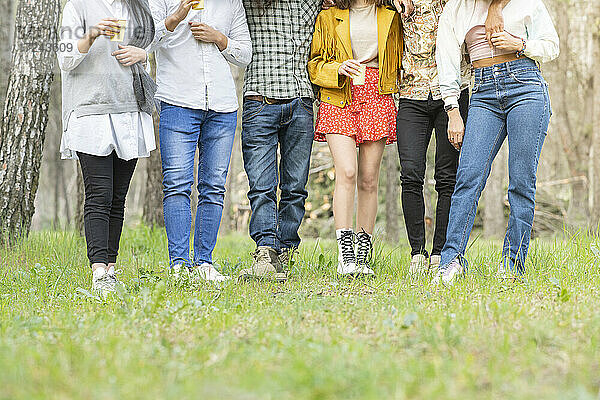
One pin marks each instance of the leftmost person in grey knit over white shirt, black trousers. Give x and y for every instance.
(107, 122)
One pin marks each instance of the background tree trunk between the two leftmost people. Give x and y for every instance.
(153, 210)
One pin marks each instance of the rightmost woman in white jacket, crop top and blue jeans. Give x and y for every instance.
(509, 100)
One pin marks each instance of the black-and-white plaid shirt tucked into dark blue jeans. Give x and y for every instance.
(281, 38)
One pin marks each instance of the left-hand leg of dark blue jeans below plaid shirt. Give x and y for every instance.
(260, 130)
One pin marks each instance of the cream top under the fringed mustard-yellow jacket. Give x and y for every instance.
(363, 35)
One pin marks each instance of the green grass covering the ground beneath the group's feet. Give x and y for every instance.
(314, 337)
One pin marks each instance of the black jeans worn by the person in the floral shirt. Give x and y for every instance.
(415, 123)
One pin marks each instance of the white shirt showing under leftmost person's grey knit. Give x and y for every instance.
(130, 135)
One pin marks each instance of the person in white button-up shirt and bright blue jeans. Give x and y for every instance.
(198, 111)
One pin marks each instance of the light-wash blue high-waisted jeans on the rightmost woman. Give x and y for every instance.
(509, 100)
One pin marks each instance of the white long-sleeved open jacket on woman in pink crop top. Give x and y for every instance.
(527, 19)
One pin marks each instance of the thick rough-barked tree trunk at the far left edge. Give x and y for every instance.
(26, 114)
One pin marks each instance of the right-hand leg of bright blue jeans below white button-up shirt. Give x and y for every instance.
(215, 145)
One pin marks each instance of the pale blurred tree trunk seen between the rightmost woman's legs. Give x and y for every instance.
(493, 197)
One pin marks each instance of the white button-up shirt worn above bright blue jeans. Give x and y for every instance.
(195, 74)
